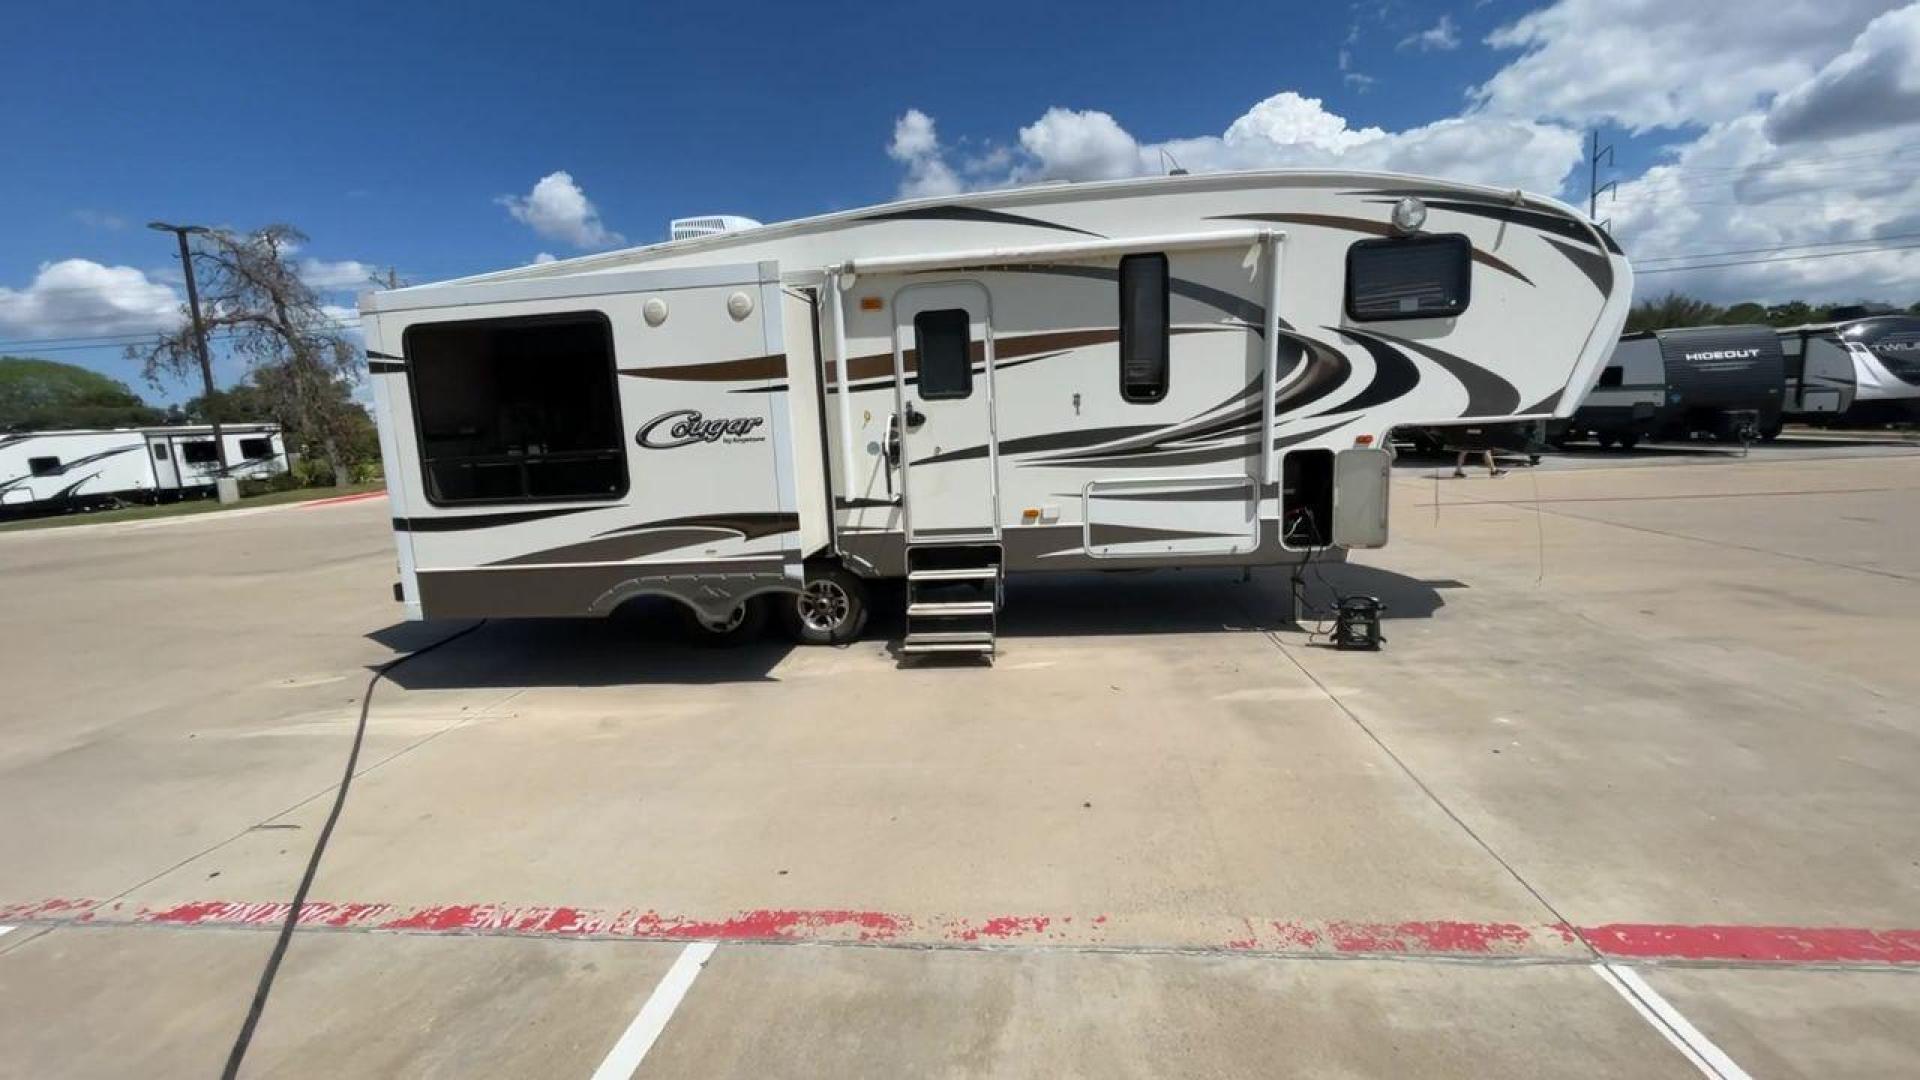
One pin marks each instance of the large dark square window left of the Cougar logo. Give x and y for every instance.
(517, 410)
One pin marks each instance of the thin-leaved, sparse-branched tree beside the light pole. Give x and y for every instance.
(295, 351)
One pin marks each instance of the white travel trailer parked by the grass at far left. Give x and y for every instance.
(49, 472)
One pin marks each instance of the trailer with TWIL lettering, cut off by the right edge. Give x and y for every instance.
(1854, 372)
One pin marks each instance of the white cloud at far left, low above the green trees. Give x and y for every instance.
(87, 299)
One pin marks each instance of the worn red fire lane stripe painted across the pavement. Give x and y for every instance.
(1443, 939)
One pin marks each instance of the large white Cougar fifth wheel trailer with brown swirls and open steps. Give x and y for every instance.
(1176, 372)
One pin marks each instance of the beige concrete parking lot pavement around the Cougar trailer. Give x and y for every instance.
(1650, 718)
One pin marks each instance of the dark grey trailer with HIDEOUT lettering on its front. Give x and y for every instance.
(1717, 381)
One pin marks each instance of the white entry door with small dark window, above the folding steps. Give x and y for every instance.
(944, 408)
